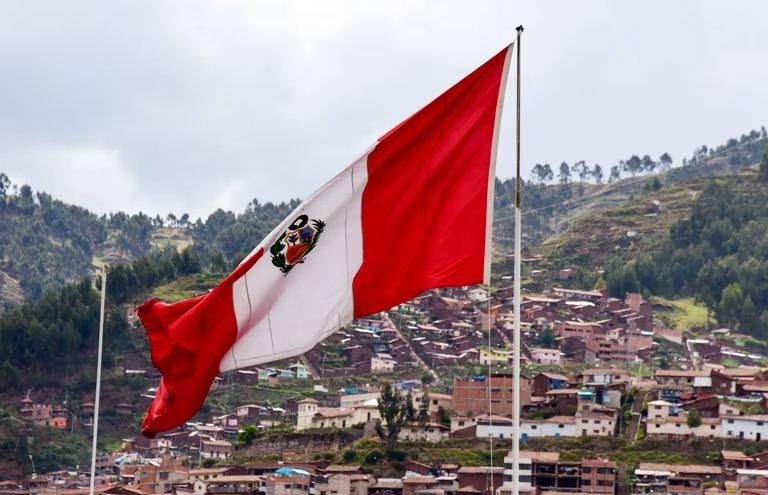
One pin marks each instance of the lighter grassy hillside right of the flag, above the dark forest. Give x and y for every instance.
(579, 225)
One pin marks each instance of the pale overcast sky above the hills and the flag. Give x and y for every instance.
(188, 106)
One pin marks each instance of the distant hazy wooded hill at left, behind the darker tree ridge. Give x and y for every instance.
(46, 243)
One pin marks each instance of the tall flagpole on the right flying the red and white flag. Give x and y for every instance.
(516, 288)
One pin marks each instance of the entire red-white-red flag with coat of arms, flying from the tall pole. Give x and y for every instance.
(412, 213)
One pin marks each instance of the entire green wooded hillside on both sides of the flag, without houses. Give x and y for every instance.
(614, 234)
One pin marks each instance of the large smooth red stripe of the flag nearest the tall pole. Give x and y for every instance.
(425, 204)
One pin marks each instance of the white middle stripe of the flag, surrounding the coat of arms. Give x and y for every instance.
(282, 315)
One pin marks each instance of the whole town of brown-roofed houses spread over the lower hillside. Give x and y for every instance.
(592, 369)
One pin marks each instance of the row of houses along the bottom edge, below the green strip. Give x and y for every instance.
(540, 473)
